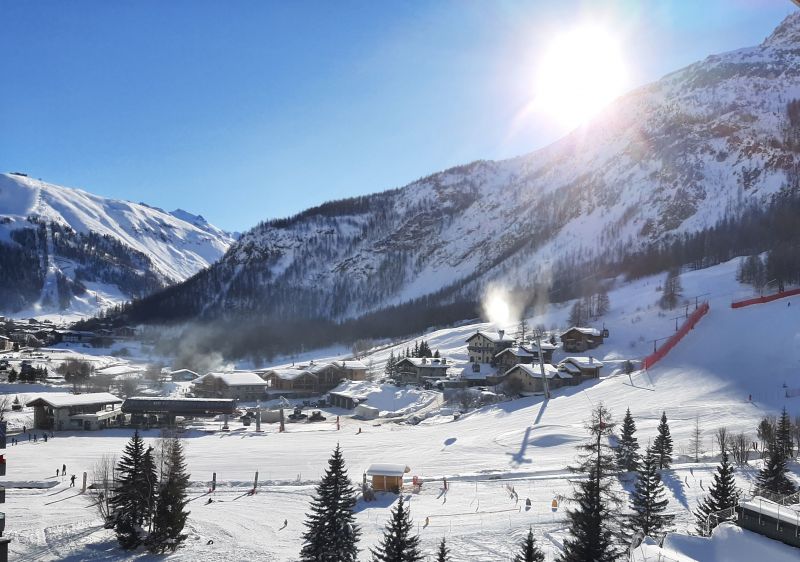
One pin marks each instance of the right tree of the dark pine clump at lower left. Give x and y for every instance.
(170, 518)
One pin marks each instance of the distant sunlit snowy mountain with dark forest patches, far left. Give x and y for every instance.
(66, 249)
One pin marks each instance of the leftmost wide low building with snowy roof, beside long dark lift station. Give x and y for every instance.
(61, 411)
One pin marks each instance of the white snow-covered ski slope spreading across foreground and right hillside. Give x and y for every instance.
(732, 369)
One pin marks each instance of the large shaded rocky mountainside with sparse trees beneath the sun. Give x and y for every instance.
(674, 157)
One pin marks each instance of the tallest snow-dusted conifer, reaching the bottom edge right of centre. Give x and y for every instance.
(592, 524)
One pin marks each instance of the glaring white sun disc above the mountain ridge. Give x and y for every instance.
(580, 73)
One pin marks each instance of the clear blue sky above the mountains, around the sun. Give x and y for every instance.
(248, 110)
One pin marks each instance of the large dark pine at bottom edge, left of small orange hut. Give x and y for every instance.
(331, 530)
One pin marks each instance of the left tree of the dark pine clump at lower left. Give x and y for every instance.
(132, 501)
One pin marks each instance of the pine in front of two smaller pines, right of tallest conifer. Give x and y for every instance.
(649, 500)
